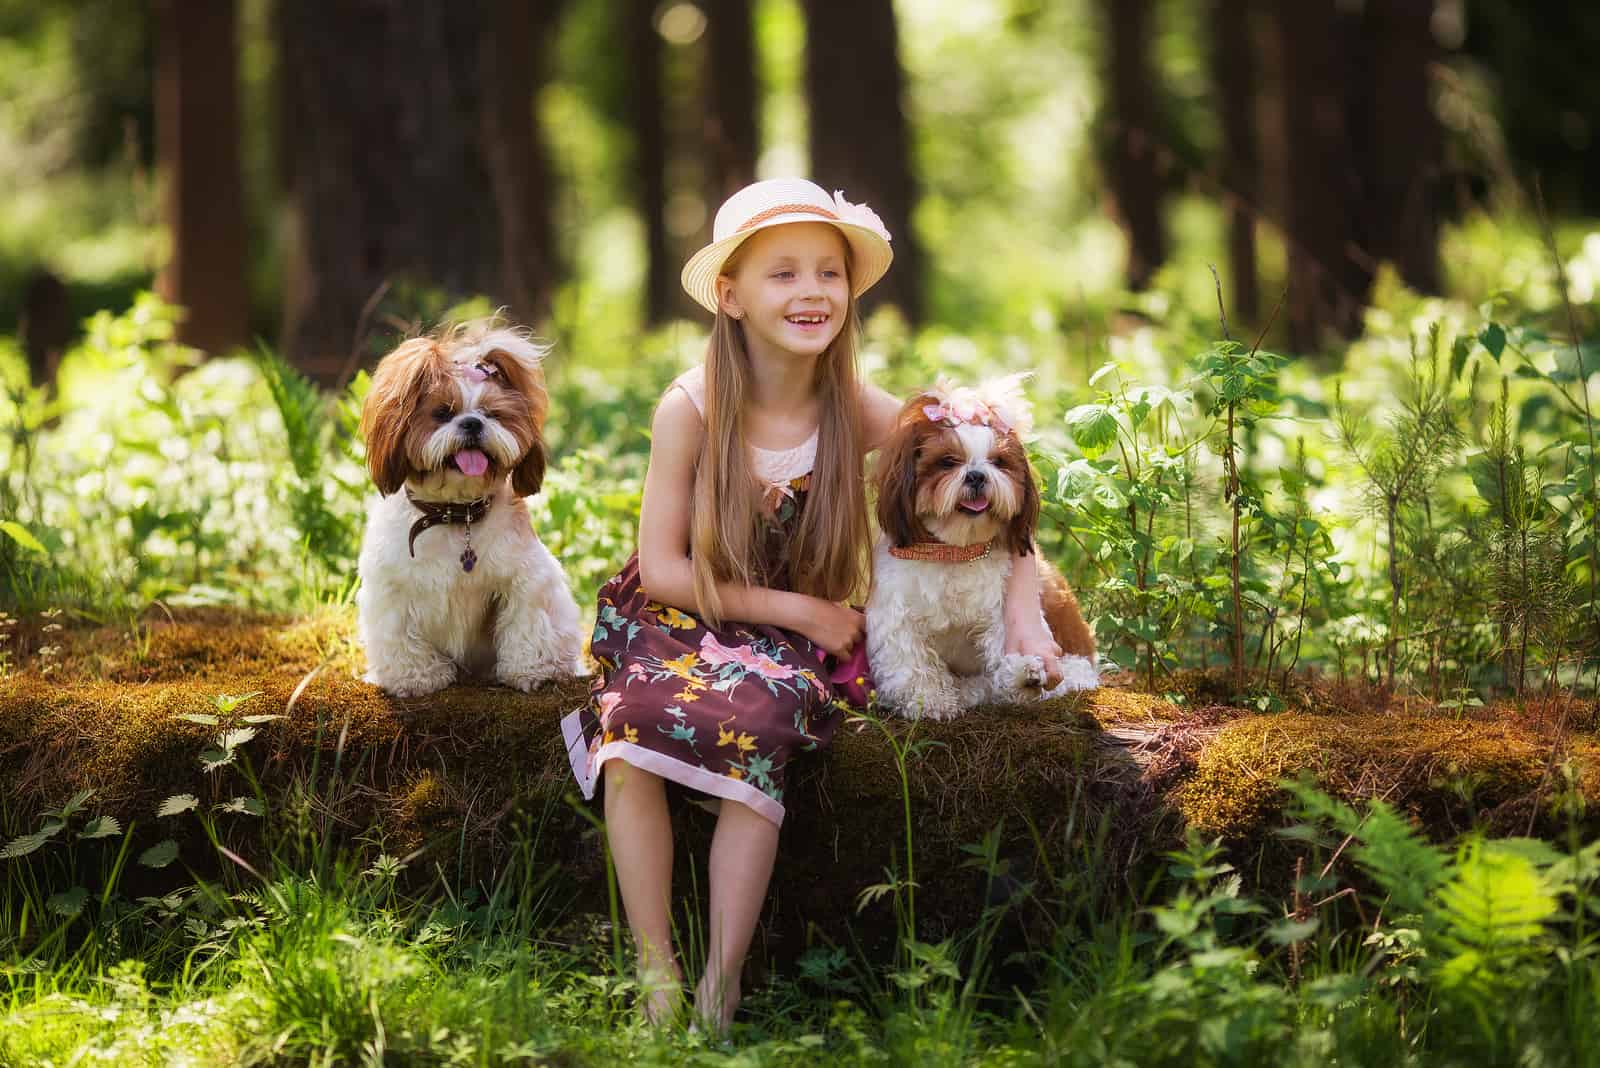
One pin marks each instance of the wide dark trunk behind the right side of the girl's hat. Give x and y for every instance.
(858, 132)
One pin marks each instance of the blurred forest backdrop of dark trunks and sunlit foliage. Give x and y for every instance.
(316, 173)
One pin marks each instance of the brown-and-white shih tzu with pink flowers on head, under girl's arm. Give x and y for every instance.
(956, 503)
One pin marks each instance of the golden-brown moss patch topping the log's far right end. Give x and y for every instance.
(1449, 773)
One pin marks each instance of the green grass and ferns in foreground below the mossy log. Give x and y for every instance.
(1478, 955)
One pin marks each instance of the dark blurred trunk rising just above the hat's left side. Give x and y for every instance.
(732, 97)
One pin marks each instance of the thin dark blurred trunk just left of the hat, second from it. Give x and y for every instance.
(650, 156)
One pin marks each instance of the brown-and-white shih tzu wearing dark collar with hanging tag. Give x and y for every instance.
(454, 578)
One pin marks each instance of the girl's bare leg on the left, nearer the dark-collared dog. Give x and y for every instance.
(639, 832)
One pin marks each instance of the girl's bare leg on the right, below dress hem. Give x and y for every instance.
(742, 864)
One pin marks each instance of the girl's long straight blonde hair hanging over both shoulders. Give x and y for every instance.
(729, 525)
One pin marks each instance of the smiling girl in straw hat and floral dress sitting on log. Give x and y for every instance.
(711, 640)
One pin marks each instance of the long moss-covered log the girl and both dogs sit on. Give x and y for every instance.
(457, 775)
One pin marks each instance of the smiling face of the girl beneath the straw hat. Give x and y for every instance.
(791, 290)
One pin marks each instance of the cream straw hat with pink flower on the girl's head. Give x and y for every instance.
(782, 201)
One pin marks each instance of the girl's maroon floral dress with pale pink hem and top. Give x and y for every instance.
(721, 712)
